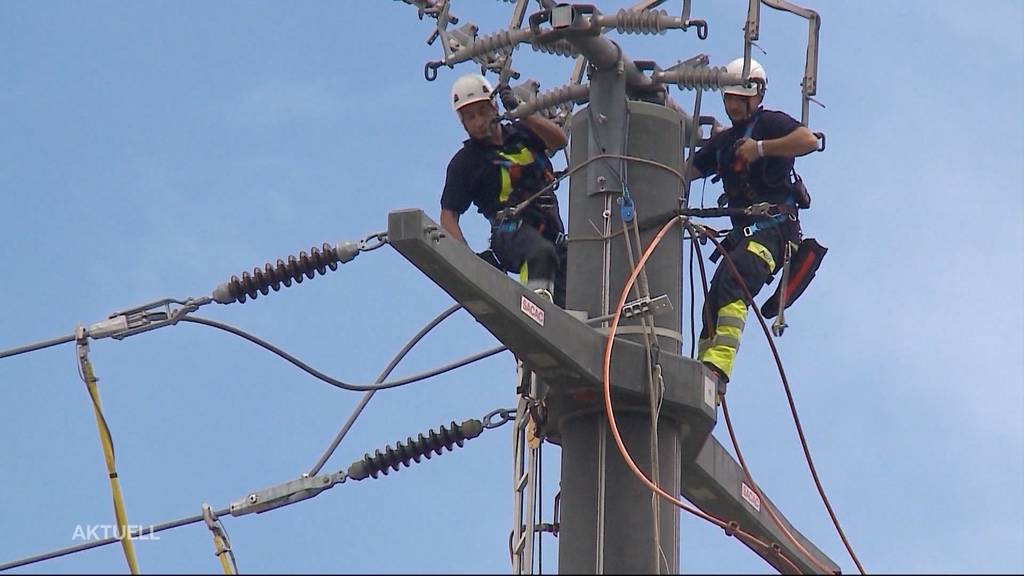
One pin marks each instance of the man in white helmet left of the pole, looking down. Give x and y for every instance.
(498, 168)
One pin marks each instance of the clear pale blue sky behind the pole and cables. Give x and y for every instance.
(155, 149)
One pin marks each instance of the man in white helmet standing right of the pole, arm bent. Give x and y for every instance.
(755, 161)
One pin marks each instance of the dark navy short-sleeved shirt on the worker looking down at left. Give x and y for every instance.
(475, 179)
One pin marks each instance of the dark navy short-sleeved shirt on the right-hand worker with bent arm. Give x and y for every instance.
(770, 178)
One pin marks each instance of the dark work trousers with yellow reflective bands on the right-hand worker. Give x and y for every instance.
(756, 260)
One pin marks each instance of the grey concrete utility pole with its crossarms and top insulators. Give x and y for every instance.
(609, 523)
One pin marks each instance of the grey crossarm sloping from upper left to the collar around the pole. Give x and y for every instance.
(551, 343)
